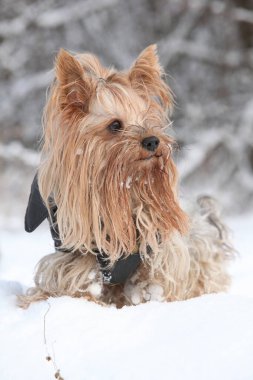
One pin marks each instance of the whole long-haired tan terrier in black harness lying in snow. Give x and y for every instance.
(108, 185)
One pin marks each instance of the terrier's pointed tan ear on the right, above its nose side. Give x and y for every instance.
(146, 74)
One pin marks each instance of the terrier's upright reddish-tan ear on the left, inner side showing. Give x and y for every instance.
(73, 81)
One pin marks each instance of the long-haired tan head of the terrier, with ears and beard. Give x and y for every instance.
(106, 158)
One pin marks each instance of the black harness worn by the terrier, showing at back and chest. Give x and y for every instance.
(37, 212)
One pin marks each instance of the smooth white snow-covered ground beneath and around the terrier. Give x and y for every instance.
(209, 337)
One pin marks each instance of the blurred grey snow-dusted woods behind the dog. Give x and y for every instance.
(206, 47)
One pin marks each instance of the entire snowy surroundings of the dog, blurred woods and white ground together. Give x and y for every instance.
(206, 49)
